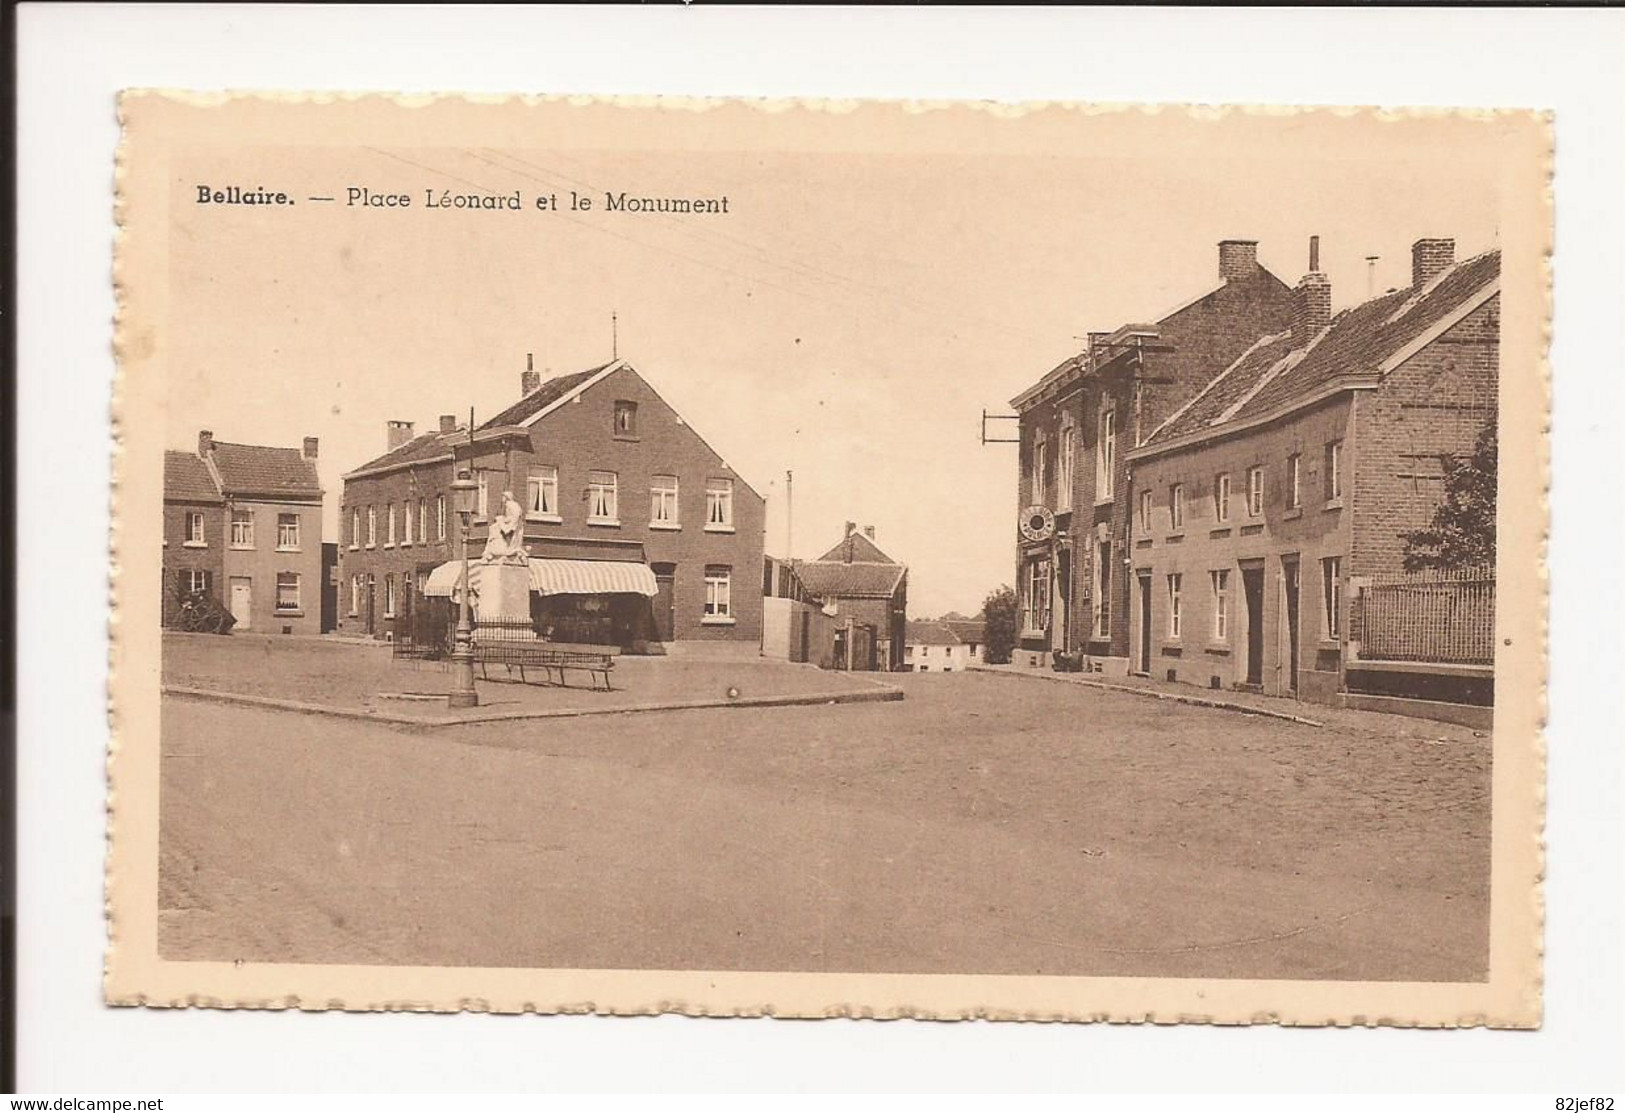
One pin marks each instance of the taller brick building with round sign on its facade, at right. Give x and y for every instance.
(1077, 428)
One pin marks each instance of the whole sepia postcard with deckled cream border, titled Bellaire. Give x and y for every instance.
(830, 560)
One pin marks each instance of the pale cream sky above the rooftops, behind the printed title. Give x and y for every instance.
(847, 321)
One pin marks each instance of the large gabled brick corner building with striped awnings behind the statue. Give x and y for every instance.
(610, 477)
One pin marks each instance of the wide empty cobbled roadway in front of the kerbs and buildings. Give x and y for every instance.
(984, 825)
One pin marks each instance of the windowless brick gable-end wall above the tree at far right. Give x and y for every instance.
(1434, 404)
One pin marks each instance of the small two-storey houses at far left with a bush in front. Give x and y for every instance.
(245, 524)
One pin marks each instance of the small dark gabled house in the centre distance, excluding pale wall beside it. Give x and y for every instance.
(867, 597)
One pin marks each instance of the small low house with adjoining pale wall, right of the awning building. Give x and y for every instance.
(847, 610)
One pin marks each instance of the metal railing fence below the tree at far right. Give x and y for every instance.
(1445, 618)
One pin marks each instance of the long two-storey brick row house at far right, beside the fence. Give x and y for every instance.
(1270, 500)
